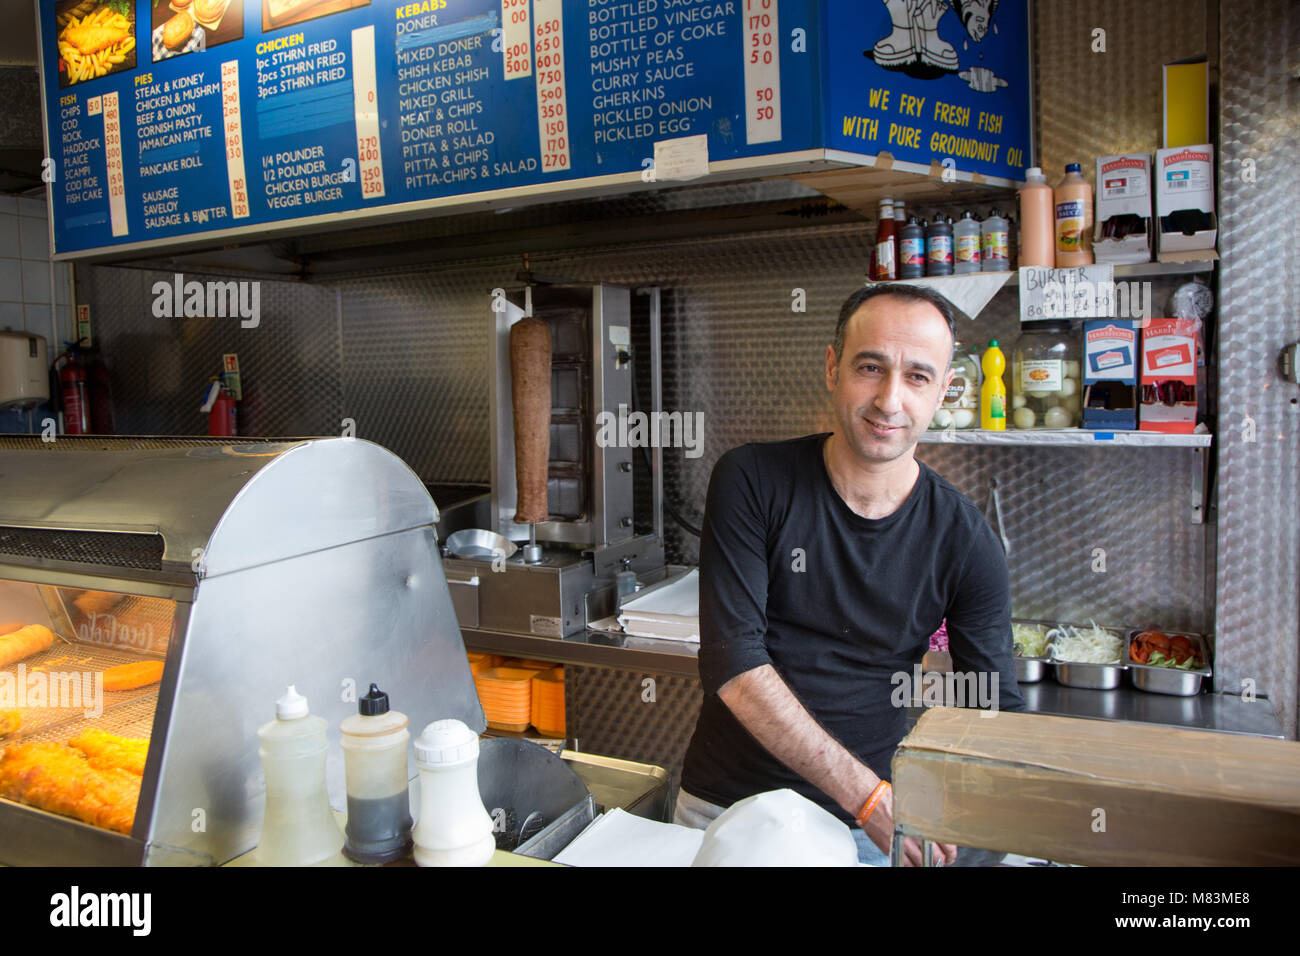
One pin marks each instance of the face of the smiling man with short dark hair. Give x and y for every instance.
(891, 378)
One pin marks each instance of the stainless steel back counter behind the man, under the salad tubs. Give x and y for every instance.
(1227, 715)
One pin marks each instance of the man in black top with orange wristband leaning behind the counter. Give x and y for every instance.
(826, 564)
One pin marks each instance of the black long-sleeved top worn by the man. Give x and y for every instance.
(839, 605)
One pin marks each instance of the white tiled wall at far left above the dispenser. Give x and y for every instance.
(28, 279)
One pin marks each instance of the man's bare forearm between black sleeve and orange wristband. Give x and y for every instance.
(764, 703)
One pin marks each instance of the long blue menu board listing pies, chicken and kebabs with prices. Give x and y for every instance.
(180, 120)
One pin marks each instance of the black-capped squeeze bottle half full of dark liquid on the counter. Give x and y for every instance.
(379, 806)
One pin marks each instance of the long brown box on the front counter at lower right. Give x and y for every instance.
(1099, 793)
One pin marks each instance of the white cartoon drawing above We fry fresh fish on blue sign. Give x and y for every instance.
(915, 46)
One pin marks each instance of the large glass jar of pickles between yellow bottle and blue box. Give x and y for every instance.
(1047, 377)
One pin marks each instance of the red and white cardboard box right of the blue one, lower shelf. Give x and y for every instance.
(1169, 362)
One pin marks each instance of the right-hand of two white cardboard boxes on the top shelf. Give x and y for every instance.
(1185, 204)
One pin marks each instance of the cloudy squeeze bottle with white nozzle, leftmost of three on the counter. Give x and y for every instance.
(298, 828)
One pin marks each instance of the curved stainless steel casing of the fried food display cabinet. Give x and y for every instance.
(311, 564)
